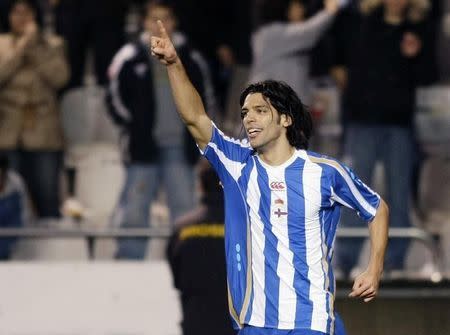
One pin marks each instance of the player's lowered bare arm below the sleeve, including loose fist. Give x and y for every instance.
(366, 284)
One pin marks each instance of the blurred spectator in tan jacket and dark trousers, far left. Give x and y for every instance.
(32, 69)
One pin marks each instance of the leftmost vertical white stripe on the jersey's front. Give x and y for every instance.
(257, 317)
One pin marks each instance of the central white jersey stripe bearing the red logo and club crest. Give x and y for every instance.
(287, 300)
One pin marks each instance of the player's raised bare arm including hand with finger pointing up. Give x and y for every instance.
(188, 101)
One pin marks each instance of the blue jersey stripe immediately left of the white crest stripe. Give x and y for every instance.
(271, 256)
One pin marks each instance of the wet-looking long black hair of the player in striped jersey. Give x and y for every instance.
(283, 98)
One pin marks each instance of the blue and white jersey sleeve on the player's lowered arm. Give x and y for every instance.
(350, 191)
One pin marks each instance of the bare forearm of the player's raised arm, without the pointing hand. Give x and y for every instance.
(187, 99)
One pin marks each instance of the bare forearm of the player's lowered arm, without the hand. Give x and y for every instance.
(378, 230)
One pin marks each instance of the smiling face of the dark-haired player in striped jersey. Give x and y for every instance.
(262, 123)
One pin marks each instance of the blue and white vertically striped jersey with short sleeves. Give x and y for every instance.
(280, 227)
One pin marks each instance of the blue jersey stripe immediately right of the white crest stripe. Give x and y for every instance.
(297, 241)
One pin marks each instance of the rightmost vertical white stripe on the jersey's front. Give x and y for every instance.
(312, 193)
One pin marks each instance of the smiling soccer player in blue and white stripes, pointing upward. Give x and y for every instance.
(282, 207)
